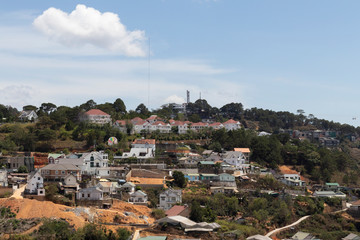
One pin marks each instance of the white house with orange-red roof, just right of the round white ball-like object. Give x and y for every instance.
(141, 149)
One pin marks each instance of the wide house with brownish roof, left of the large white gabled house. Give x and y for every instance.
(57, 172)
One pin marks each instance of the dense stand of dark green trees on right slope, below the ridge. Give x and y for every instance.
(318, 162)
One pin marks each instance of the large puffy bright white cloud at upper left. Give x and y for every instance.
(86, 25)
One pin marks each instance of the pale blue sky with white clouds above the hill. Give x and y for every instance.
(279, 55)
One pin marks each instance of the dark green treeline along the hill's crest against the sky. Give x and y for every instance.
(262, 119)
